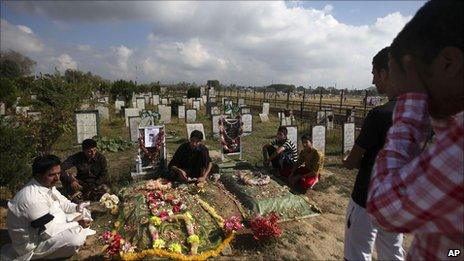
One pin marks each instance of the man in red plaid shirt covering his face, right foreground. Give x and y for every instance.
(422, 192)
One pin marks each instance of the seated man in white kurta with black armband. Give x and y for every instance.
(41, 222)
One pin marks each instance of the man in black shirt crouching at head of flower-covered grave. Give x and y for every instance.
(191, 161)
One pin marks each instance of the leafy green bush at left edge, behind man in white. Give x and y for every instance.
(15, 160)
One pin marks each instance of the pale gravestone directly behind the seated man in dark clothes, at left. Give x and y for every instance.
(86, 125)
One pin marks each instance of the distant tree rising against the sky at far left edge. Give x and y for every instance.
(25, 64)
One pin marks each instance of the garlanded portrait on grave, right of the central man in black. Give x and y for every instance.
(230, 132)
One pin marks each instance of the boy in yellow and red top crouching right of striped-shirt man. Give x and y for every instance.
(305, 177)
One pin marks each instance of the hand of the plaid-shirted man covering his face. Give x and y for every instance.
(405, 79)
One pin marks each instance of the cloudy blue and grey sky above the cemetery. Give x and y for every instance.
(305, 43)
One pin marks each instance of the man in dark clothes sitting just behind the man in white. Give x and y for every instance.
(90, 182)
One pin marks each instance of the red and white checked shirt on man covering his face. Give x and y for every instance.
(421, 192)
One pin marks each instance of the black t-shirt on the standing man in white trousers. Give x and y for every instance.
(371, 138)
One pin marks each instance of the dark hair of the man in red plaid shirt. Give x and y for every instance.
(436, 25)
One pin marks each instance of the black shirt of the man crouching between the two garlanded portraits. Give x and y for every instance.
(192, 160)
